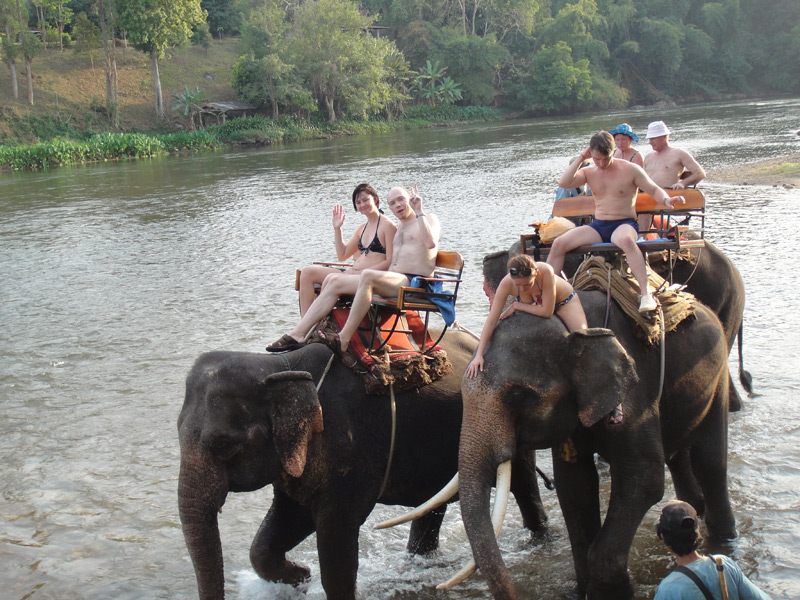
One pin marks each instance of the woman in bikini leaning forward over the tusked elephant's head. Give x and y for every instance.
(538, 292)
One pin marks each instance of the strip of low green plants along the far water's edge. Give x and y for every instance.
(73, 147)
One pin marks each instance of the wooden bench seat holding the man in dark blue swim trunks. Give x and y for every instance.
(665, 234)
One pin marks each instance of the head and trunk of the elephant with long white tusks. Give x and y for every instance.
(540, 384)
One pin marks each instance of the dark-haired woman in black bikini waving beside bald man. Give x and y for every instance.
(374, 254)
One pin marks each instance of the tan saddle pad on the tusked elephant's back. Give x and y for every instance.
(597, 273)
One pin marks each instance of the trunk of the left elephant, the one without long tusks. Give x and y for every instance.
(202, 488)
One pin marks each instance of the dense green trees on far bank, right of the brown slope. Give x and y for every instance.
(540, 56)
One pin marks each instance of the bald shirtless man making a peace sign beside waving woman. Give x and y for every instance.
(414, 253)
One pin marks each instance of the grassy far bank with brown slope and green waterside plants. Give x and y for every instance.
(68, 125)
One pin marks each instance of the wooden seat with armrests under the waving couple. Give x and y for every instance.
(449, 267)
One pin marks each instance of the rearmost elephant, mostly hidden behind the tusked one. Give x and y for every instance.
(712, 278)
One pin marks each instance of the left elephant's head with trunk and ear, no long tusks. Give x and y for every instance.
(241, 427)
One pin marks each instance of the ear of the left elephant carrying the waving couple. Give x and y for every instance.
(296, 416)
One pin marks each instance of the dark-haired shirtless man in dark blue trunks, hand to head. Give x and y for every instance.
(614, 183)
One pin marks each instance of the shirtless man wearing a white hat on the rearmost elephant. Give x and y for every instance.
(666, 165)
